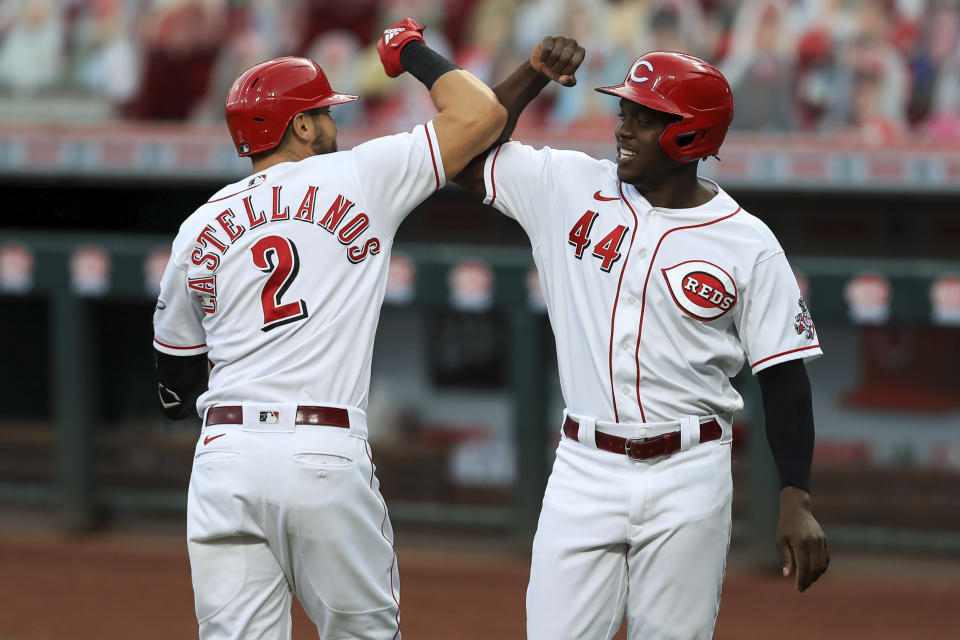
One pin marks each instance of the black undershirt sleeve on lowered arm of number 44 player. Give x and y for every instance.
(788, 409)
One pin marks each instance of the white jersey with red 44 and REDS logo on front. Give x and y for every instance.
(653, 309)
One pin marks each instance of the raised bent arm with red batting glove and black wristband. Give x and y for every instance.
(469, 118)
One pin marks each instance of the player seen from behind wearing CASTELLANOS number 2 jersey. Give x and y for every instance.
(277, 281)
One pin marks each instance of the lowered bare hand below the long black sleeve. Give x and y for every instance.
(800, 540)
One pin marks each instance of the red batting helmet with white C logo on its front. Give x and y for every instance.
(687, 87)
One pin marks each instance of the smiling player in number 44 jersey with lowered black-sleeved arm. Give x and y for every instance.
(659, 287)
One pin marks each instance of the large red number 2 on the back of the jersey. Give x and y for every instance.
(278, 257)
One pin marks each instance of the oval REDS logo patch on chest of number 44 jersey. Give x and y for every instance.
(701, 289)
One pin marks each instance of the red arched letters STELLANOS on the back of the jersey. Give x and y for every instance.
(214, 241)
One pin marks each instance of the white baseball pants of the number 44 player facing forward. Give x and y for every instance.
(645, 538)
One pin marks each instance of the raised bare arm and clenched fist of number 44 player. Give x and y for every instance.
(554, 58)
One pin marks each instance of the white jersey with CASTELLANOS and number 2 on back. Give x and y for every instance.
(280, 277)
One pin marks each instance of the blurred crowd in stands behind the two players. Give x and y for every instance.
(879, 70)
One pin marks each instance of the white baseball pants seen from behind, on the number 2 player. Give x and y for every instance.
(299, 511)
